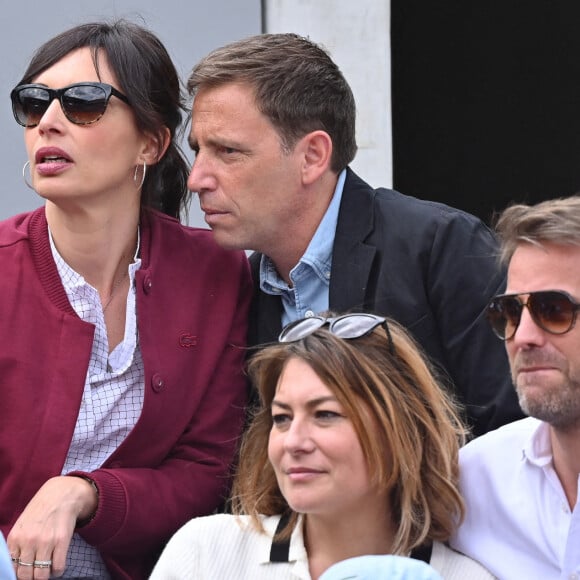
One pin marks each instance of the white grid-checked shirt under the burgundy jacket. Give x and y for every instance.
(112, 397)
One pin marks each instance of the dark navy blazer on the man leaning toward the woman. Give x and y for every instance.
(431, 267)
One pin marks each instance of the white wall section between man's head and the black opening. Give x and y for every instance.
(357, 34)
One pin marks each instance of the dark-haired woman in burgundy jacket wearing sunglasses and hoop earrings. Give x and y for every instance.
(123, 330)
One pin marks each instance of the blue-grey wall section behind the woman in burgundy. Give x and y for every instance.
(188, 29)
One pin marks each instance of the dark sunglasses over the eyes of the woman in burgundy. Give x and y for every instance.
(82, 103)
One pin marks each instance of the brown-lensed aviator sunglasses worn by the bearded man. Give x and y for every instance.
(552, 310)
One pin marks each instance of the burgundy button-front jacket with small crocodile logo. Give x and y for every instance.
(192, 302)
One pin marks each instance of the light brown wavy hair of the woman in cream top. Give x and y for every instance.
(411, 446)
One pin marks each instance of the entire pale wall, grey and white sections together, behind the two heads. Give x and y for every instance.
(356, 33)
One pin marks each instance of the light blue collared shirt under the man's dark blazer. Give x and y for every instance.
(311, 276)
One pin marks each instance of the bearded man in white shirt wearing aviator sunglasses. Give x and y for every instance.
(520, 482)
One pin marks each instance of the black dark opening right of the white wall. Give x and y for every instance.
(486, 101)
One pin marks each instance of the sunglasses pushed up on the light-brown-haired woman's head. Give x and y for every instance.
(347, 326)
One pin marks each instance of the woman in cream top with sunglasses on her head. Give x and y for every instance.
(354, 452)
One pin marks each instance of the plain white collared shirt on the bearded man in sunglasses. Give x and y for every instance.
(518, 522)
